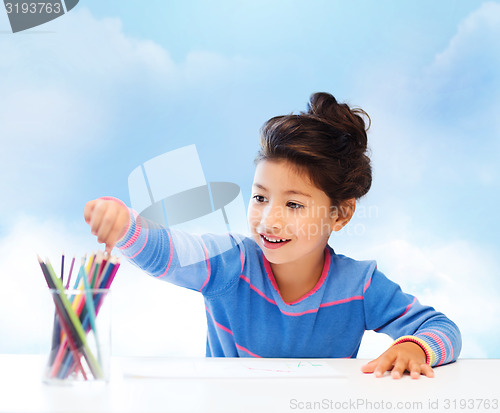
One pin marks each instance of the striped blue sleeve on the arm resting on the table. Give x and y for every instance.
(389, 310)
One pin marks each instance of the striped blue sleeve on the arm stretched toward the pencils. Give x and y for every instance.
(206, 263)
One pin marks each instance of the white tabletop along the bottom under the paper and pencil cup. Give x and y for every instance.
(473, 382)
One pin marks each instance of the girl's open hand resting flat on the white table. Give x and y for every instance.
(403, 356)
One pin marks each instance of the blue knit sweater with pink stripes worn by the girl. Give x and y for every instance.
(247, 316)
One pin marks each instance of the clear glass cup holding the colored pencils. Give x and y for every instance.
(80, 350)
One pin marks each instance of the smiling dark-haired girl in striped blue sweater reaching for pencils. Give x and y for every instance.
(284, 292)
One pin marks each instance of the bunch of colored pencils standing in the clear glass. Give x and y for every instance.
(75, 316)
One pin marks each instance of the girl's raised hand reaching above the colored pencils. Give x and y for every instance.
(108, 220)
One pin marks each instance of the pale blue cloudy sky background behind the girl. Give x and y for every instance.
(88, 97)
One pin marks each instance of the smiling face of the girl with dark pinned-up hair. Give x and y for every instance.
(288, 216)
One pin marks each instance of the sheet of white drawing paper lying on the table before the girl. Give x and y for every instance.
(229, 368)
